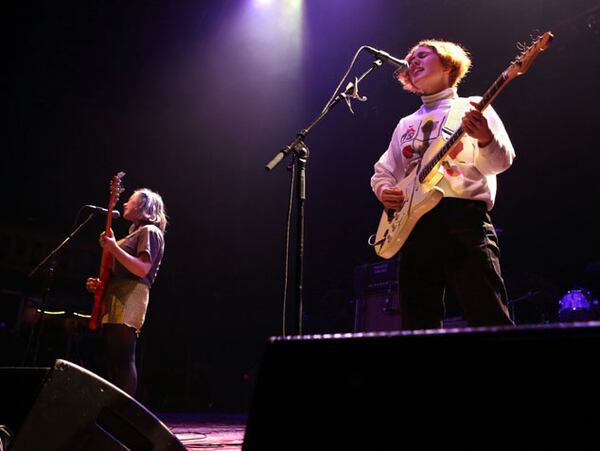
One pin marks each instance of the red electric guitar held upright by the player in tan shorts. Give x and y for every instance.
(106, 262)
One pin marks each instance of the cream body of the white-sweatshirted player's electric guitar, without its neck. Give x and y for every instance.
(396, 225)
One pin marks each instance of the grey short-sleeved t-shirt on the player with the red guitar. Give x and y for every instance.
(147, 239)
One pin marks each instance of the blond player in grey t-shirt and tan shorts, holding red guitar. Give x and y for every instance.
(137, 258)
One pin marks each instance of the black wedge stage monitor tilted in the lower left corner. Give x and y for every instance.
(77, 410)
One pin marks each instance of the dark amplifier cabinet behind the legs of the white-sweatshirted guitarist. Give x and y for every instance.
(377, 302)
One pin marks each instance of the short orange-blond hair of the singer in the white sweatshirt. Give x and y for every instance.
(453, 56)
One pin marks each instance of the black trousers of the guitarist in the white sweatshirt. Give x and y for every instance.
(455, 246)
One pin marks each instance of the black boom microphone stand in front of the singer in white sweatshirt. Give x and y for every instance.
(300, 153)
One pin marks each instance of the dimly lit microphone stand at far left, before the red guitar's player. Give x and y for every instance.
(34, 334)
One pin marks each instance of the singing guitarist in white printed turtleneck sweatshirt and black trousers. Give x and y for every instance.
(453, 245)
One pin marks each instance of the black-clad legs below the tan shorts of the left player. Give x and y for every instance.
(119, 346)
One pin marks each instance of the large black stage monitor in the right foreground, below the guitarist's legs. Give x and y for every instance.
(459, 388)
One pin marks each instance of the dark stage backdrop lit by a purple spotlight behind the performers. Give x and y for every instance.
(192, 99)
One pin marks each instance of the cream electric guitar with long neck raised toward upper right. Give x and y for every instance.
(419, 187)
